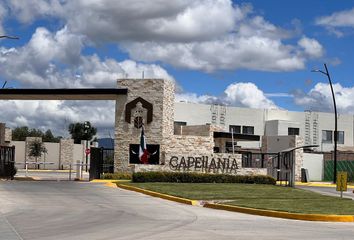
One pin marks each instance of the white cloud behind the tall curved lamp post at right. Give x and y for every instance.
(319, 98)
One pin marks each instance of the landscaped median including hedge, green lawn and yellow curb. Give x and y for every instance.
(255, 194)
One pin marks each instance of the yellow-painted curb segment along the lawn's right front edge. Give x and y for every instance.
(295, 216)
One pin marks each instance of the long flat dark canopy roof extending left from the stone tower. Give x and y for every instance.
(62, 94)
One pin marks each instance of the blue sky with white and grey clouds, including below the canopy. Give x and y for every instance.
(254, 54)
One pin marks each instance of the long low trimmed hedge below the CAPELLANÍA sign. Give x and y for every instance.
(187, 177)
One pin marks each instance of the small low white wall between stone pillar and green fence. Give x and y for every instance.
(314, 164)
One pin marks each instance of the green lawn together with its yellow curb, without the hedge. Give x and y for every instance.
(258, 199)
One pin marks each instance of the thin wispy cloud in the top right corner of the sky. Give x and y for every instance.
(337, 20)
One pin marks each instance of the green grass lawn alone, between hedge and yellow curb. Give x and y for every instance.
(257, 196)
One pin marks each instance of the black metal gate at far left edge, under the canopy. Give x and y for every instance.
(7, 162)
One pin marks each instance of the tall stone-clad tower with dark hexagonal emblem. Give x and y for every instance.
(151, 102)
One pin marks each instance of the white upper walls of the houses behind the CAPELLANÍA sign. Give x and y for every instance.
(195, 114)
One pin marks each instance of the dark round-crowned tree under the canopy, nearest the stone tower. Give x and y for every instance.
(82, 131)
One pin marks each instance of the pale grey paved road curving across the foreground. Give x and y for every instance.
(73, 210)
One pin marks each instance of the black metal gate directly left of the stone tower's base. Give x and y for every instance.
(101, 161)
